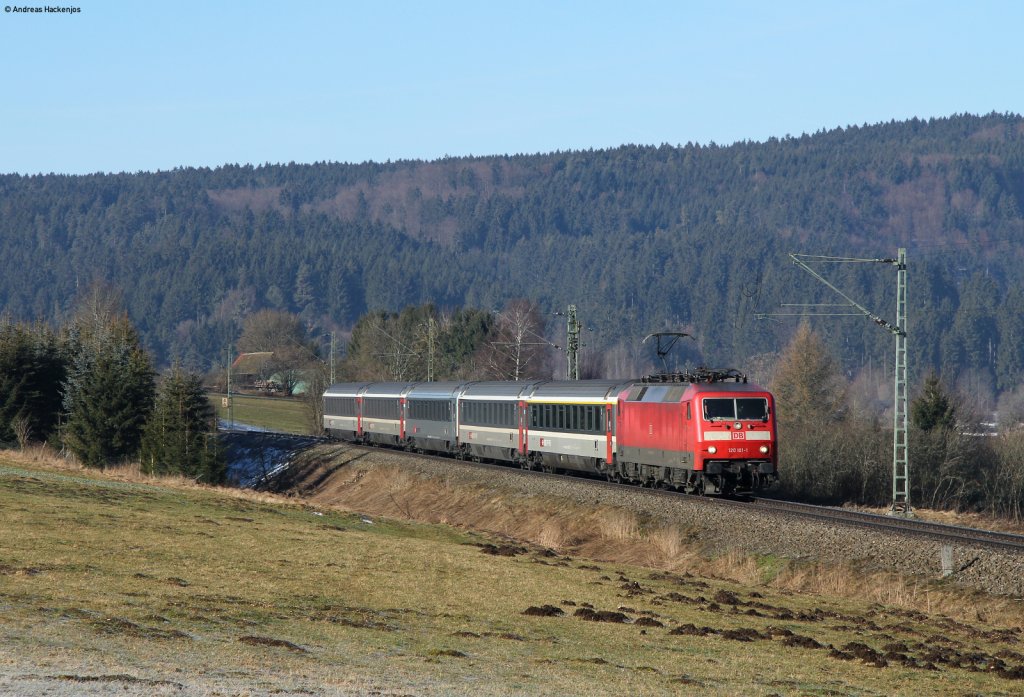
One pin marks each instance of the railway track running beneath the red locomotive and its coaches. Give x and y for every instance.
(884, 525)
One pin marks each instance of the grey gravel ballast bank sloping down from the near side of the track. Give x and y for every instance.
(724, 528)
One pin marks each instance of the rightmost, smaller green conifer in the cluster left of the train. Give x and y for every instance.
(181, 437)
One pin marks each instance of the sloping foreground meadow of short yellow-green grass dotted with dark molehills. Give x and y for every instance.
(149, 588)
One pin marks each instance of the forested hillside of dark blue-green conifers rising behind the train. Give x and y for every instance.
(642, 239)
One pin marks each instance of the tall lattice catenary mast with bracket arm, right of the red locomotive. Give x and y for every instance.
(902, 467)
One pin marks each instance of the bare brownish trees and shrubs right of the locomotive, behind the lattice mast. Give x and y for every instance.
(836, 448)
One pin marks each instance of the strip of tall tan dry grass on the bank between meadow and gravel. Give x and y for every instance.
(618, 536)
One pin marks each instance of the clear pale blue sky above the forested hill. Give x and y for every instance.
(130, 86)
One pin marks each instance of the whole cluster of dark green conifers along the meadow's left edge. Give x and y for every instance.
(90, 389)
